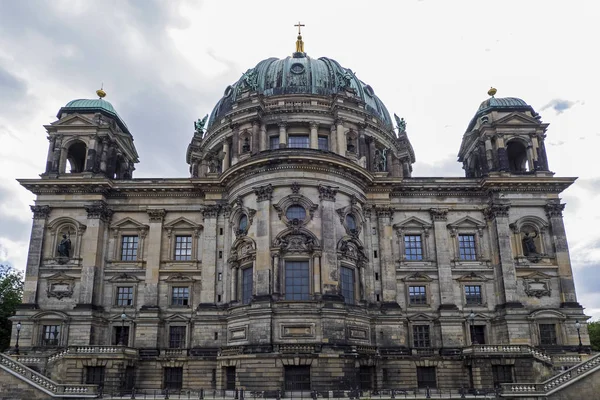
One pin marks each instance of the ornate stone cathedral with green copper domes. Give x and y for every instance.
(299, 254)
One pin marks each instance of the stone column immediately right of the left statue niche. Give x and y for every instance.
(92, 252)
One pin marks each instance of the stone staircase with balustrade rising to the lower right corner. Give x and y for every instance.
(590, 367)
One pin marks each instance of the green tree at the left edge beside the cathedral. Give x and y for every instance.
(11, 291)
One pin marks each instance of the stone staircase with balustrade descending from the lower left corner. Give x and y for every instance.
(44, 384)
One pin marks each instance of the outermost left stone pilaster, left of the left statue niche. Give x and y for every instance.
(34, 256)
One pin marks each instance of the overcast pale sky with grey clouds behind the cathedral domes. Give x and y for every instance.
(166, 63)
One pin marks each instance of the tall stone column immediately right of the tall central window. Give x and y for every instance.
(329, 265)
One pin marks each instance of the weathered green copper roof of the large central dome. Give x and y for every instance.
(300, 75)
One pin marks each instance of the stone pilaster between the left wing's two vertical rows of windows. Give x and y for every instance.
(156, 218)
